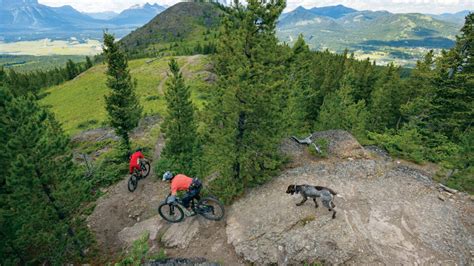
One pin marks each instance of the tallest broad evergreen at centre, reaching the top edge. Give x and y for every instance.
(245, 125)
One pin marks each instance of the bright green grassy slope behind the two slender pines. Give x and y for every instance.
(79, 104)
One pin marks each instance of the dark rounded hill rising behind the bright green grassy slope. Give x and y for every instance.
(180, 27)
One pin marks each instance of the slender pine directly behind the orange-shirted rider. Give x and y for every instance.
(179, 126)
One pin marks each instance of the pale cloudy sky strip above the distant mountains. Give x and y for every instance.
(395, 6)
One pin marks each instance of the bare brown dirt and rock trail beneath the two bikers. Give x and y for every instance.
(121, 217)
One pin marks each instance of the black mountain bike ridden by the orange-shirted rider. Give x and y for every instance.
(208, 207)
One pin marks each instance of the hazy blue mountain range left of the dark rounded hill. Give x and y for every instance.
(29, 20)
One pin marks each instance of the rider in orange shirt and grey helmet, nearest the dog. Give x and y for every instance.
(181, 182)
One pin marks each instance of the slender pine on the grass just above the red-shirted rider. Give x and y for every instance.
(122, 103)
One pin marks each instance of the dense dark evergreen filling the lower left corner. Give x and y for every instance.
(36, 209)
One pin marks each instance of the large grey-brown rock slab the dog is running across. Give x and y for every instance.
(390, 213)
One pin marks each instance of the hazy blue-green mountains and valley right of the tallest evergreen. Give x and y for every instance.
(339, 27)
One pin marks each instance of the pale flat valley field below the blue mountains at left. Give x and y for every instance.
(51, 47)
